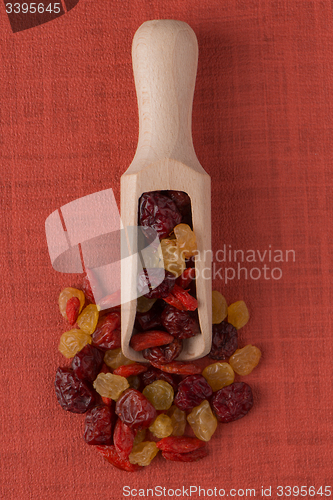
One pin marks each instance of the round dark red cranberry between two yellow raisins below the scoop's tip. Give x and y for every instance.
(134, 409)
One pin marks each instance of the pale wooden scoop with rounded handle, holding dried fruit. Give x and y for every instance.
(165, 56)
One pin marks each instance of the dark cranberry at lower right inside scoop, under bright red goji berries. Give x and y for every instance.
(180, 324)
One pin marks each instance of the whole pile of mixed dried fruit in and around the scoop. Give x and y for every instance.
(133, 410)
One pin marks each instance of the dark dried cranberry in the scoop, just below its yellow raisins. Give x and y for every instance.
(155, 283)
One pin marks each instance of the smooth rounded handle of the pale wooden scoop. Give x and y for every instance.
(165, 59)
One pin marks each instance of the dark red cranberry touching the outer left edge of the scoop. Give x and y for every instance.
(107, 334)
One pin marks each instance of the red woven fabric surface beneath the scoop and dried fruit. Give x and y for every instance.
(262, 128)
